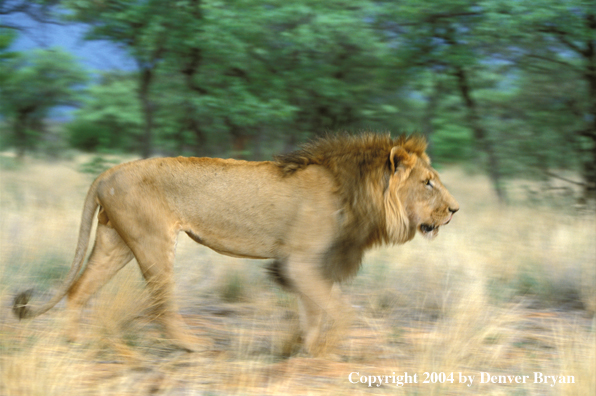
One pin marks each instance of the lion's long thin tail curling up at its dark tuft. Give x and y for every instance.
(20, 306)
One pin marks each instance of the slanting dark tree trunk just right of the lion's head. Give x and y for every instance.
(480, 136)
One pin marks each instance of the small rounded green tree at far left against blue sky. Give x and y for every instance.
(34, 83)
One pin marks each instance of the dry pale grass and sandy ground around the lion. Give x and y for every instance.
(508, 291)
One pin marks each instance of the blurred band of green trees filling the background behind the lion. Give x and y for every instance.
(509, 85)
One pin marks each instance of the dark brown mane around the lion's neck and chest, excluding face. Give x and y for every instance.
(361, 169)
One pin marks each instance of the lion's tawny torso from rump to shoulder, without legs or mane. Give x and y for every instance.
(241, 208)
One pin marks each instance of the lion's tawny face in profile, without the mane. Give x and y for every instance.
(426, 201)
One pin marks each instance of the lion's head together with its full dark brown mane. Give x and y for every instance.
(387, 187)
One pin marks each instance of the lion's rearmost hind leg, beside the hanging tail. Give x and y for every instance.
(110, 254)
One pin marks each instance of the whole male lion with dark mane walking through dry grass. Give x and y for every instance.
(314, 211)
